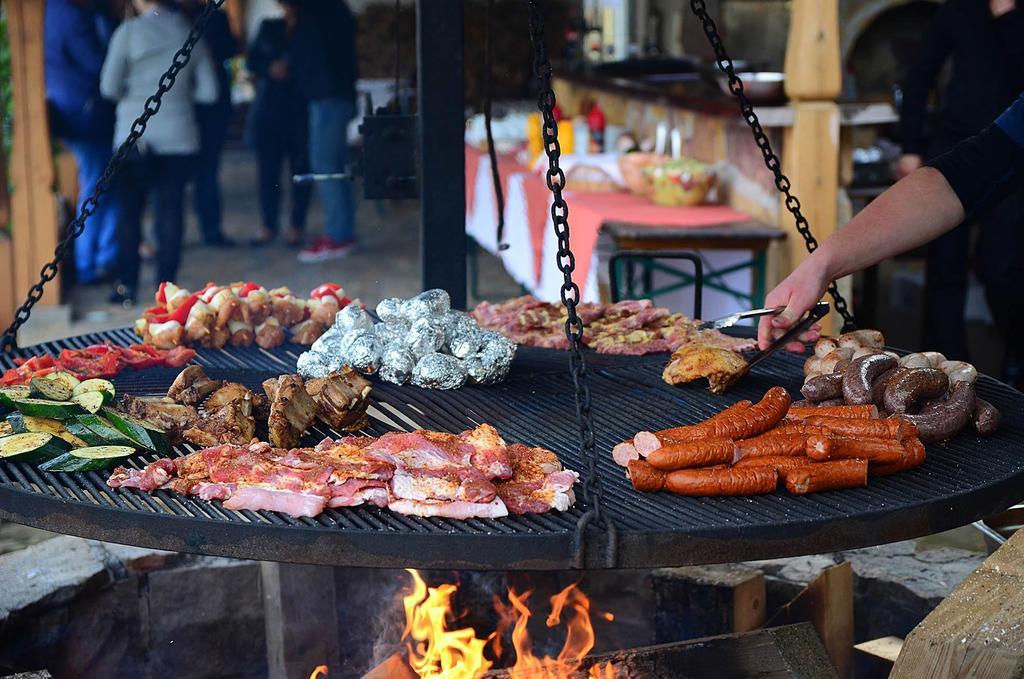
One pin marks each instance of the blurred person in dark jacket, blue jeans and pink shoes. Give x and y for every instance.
(325, 68)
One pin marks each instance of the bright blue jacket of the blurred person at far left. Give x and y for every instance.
(75, 45)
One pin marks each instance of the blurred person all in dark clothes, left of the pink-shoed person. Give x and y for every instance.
(278, 126)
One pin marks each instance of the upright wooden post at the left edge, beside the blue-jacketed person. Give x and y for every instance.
(33, 205)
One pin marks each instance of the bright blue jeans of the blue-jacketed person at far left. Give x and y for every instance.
(97, 249)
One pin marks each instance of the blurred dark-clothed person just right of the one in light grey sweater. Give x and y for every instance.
(214, 120)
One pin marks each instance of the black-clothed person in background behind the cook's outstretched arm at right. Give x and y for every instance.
(985, 40)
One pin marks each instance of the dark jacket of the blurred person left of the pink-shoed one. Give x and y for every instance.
(279, 106)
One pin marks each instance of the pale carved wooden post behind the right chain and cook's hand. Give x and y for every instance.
(810, 148)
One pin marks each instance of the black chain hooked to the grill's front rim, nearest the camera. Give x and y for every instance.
(570, 292)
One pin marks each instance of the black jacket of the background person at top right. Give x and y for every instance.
(988, 73)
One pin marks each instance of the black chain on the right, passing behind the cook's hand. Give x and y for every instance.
(772, 160)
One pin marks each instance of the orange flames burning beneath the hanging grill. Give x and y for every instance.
(435, 652)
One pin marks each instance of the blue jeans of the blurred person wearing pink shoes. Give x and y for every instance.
(328, 150)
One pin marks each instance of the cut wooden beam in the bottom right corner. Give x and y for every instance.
(977, 631)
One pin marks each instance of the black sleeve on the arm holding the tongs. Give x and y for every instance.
(983, 169)
